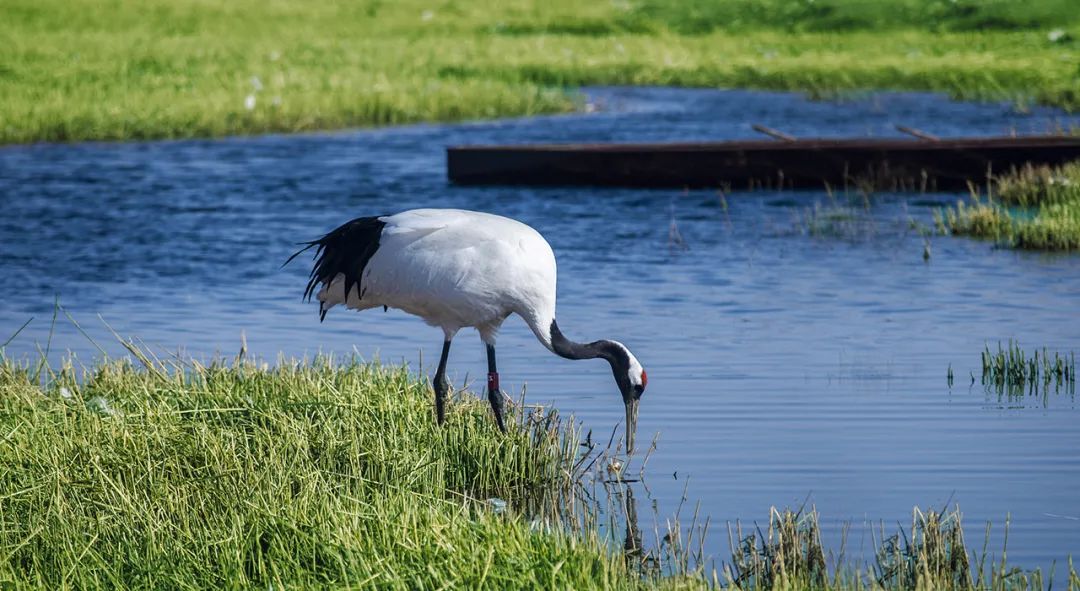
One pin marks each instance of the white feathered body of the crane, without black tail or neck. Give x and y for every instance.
(455, 270)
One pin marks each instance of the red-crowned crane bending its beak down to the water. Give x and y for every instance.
(457, 268)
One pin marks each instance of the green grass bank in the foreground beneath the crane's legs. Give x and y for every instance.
(294, 477)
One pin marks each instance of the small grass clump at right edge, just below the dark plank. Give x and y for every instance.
(1036, 208)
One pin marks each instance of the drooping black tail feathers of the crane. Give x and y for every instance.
(345, 250)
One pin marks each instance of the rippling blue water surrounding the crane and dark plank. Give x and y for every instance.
(790, 354)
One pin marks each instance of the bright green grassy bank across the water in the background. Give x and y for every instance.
(87, 70)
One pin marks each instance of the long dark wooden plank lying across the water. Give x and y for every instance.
(801, 164)
